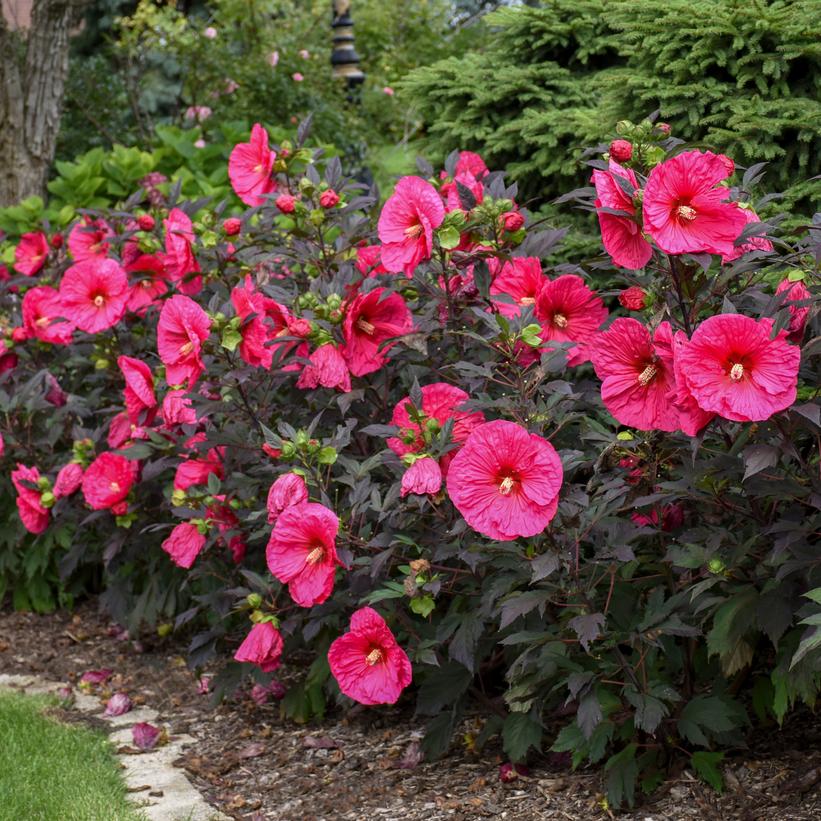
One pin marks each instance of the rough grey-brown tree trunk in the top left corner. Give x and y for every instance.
(33, 70)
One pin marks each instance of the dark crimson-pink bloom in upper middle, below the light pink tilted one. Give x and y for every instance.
(371, 320)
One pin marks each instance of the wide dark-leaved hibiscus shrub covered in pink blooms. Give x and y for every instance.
(391, 441)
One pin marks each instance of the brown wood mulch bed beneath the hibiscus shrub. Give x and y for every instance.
(253, 765)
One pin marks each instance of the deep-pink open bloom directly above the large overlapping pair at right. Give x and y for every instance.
(570, 312)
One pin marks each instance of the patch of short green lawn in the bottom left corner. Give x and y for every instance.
(54, 772)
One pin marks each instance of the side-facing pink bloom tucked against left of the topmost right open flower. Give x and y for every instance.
(621, 235)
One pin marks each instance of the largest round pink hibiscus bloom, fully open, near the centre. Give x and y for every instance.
(505, 481)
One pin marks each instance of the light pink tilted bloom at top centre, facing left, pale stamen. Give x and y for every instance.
(407, 222)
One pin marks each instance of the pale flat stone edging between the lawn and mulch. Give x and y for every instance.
(179, 801)
